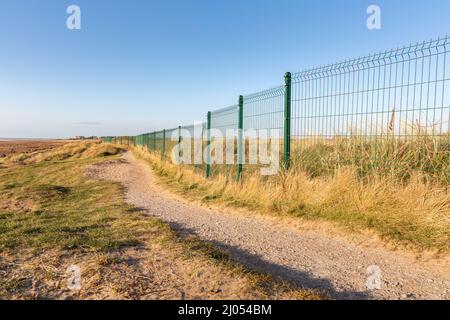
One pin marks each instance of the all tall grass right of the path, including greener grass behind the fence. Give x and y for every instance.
(397, 189)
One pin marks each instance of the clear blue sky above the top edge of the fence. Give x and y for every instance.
(140, 65)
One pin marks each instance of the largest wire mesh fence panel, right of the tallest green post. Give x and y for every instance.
(378, 113)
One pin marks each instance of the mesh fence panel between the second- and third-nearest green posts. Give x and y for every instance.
(224, 124)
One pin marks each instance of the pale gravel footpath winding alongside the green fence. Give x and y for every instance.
(306, 258)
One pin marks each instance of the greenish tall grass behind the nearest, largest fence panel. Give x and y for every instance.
(423, 155)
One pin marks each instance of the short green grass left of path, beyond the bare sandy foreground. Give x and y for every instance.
(70, 211)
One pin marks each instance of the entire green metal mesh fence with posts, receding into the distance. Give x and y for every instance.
(371, 112)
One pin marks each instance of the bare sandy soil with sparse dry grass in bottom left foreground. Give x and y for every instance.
(153, 272)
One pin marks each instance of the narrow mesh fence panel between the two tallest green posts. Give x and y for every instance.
(263, 115)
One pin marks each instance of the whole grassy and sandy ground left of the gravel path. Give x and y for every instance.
(52, 216)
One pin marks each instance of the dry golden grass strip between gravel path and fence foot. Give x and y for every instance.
(415, 212)
